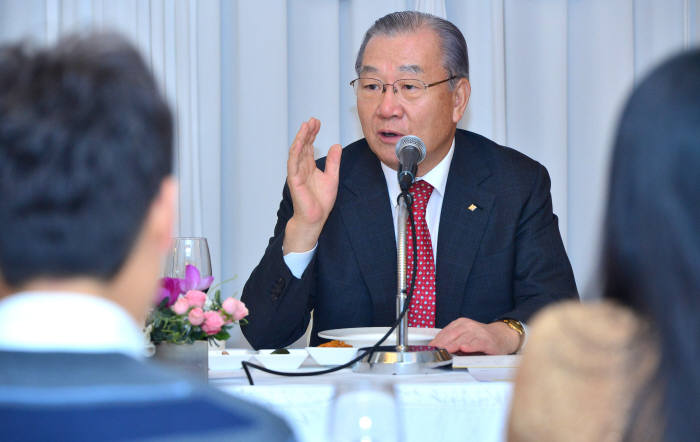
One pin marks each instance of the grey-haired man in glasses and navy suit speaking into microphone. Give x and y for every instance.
(490, 252)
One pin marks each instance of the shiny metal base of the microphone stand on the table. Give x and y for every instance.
(411, 359)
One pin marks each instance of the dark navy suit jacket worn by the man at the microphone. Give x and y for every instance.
(504, 259)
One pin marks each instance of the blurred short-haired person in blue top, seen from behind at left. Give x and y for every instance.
(86, 215)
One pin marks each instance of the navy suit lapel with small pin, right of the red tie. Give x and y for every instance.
(461, 229)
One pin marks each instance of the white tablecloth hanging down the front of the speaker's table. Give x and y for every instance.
(444, 404)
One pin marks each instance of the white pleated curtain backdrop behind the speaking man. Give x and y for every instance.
(548, 78)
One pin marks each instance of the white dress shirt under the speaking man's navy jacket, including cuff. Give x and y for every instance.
(436, 177)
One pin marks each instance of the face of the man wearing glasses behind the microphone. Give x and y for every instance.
(432, 117)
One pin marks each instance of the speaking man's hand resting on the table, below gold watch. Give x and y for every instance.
(468, 336)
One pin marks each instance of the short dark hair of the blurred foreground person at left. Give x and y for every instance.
(86, 142)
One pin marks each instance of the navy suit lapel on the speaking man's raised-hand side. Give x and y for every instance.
(366, 215)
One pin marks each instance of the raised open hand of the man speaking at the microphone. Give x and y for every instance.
(313, 191)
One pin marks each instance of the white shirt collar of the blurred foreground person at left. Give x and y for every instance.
(67, 322)
